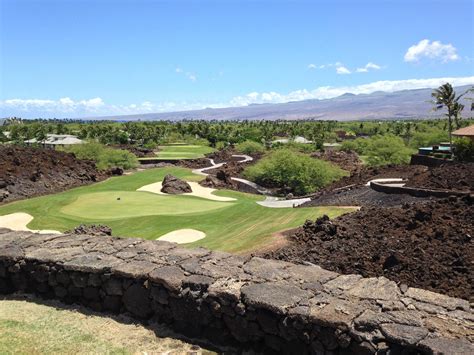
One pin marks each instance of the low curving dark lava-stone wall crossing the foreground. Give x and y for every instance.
(246, 302)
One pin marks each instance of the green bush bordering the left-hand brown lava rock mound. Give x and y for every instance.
(104, 157)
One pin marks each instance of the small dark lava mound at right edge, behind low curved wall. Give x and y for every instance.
(458, 176)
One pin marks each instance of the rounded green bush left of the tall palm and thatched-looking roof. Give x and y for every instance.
(388, 149)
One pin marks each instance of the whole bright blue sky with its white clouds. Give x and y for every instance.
(68, 58)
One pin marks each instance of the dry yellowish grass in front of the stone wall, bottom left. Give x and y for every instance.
(52, 328)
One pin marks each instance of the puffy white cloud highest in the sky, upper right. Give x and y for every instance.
(432, 50)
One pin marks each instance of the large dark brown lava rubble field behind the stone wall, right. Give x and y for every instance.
(429, 246)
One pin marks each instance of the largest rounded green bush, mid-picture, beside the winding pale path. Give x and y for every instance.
(300, 173)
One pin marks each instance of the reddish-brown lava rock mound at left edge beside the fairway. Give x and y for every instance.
(27, 172)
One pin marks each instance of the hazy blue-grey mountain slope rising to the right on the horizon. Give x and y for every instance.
(406, 104)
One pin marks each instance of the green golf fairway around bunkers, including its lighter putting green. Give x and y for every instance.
(239, 226)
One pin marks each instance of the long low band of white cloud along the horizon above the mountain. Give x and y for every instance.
(67, 107)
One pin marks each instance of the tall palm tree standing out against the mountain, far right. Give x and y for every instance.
(445, 97)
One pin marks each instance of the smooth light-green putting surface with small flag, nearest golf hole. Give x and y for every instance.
(127, 204)
